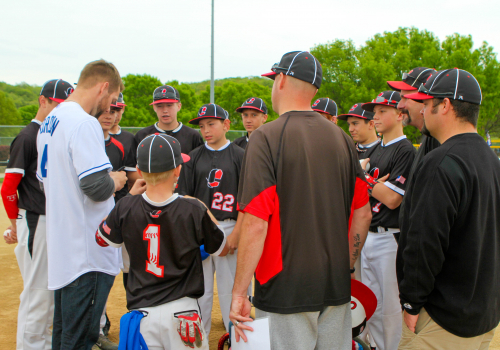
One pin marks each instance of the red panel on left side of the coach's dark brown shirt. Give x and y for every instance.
(267, 207)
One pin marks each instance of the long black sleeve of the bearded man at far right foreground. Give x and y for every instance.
(428, 240)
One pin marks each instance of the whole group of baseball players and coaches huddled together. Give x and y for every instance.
(295, 206)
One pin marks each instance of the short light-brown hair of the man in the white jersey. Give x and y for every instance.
(98, 72)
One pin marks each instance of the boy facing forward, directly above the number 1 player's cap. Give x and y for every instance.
(167, 103)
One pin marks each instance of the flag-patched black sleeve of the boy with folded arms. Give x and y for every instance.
(401, 169)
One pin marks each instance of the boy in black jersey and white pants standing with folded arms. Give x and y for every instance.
(390, 165)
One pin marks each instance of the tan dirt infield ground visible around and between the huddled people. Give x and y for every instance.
(11, 286)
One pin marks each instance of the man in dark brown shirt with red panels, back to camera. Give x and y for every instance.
(295, 191)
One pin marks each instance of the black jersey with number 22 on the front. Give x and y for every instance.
(213, 177)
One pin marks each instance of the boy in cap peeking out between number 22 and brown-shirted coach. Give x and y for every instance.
(253, 114)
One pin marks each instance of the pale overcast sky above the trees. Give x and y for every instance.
(42, 40)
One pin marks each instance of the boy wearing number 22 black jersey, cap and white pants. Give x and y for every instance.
(212, 175)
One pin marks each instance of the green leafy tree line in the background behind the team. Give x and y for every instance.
(350, 74)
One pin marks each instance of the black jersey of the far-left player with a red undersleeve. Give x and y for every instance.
(23, 160)
